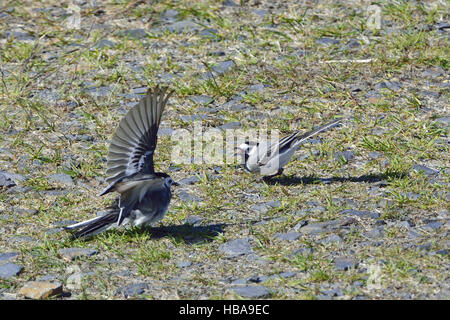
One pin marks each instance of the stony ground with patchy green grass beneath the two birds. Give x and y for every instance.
(64, 89)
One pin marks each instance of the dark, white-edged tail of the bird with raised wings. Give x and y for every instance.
(93, 226)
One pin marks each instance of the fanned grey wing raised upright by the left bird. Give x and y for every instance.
(134, 142)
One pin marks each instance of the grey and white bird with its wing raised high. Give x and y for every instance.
(144, 194)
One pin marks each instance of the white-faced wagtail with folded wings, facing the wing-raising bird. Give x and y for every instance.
(268, 159)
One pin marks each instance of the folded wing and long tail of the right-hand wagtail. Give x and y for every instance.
(294, 139)
